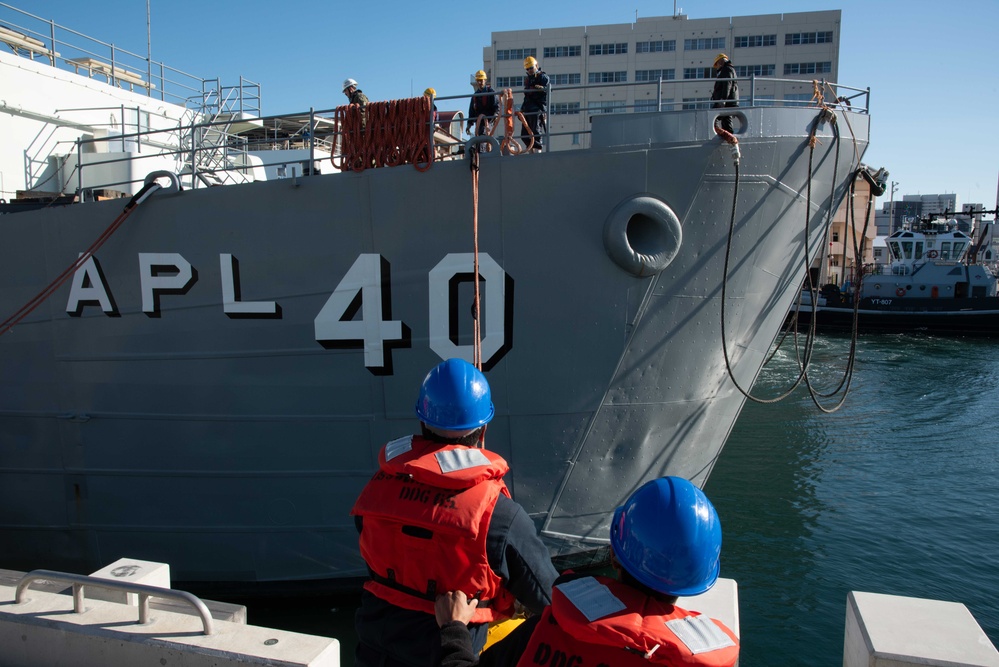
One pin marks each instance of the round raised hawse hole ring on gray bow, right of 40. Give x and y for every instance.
(642, 235)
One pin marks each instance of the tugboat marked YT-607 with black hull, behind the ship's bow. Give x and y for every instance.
(932, 284)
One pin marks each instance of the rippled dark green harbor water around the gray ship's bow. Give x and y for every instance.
(895, 493)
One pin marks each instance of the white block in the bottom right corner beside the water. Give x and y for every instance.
(895, 631)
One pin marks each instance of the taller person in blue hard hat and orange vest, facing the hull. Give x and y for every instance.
(438, 517)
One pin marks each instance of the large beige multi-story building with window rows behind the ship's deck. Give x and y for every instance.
(666, 62)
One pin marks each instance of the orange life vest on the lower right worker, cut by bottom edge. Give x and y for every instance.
(627, 628)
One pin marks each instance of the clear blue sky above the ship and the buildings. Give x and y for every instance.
(300, 52)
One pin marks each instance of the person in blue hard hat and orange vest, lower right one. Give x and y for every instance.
(665, 542)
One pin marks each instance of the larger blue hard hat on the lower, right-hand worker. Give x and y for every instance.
(667, 535)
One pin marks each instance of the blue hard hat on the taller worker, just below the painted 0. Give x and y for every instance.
(455, 396)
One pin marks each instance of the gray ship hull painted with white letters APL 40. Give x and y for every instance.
(224, 420)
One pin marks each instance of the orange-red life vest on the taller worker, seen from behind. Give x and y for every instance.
(426, 517)
